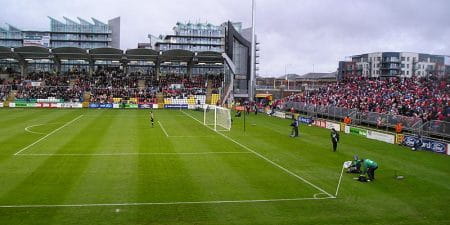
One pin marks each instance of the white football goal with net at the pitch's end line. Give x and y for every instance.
(218, 117)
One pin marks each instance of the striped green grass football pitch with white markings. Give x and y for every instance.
(86, 166)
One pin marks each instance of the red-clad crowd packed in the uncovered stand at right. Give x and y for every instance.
(427, 98)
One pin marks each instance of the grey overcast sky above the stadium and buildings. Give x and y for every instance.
(294, 34)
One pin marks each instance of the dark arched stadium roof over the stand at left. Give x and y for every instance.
(66, 53)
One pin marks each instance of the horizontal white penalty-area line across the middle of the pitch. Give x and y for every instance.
(131, 153)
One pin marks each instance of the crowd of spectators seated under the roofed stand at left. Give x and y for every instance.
(105, 85)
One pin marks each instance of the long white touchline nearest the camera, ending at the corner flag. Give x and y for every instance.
(162, 203)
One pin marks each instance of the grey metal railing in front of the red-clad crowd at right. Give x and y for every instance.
(385, 121)
